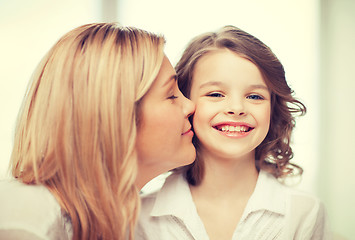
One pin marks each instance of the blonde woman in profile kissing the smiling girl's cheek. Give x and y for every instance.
(102, 116)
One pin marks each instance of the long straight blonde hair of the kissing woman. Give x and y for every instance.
(76, 130)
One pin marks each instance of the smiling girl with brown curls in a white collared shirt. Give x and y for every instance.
(245, 113)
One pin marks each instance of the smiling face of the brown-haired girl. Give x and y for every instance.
(233, 105)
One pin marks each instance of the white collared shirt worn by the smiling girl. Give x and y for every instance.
(274, 211)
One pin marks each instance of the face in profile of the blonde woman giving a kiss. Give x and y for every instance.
(164, 135)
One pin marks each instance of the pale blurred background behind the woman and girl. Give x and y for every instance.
(314, 39)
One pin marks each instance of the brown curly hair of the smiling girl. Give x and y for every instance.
(274, 153)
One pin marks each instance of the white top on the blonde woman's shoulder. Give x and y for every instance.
(31, 211)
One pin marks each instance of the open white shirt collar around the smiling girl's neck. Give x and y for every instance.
(175, 198)
